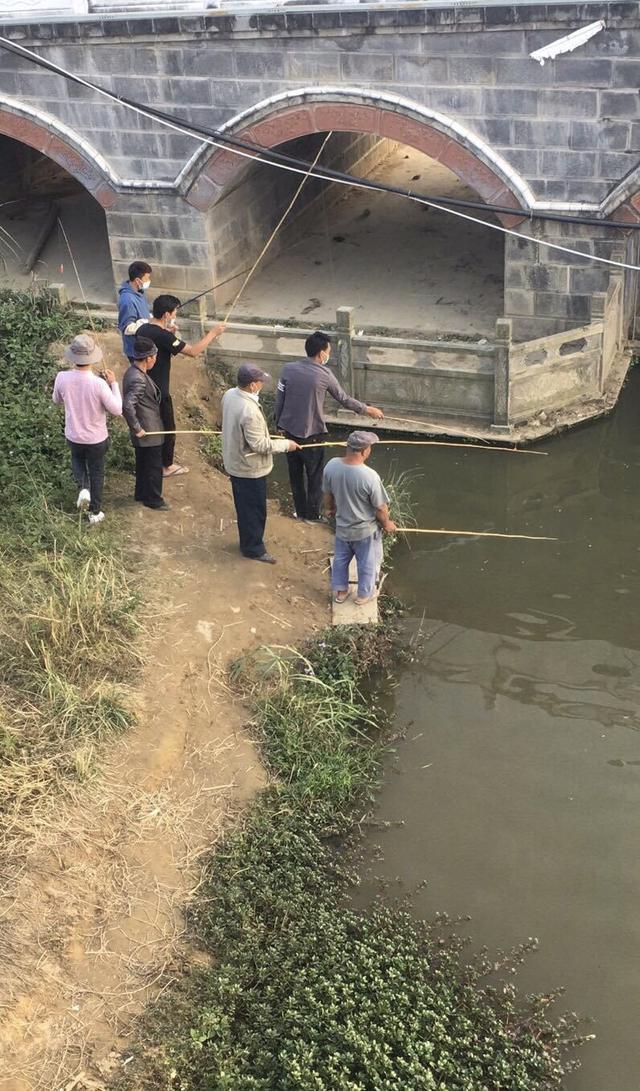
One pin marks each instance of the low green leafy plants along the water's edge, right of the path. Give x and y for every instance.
(304, 992)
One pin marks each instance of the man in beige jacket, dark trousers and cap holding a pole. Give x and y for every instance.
(248, 451)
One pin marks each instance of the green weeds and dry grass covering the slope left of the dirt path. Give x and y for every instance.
(68, 612)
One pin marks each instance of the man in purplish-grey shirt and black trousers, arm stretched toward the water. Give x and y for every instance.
(299, 414)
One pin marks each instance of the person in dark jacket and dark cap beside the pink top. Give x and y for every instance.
(141, 409)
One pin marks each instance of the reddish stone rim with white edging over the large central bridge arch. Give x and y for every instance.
(292, 115)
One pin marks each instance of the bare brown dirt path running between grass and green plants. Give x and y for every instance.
(95, 927)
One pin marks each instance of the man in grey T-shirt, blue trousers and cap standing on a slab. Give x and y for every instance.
(356, 497)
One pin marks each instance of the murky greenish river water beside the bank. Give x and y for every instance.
(516, 790)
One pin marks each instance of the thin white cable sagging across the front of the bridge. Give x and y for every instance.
(228, 143)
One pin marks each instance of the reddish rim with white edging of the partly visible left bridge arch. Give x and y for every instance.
(52, 138)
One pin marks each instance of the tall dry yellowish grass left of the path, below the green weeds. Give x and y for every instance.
(68, 653)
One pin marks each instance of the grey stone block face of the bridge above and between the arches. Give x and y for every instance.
(567, 133)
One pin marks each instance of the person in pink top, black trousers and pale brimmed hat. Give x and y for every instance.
(88, 399)
